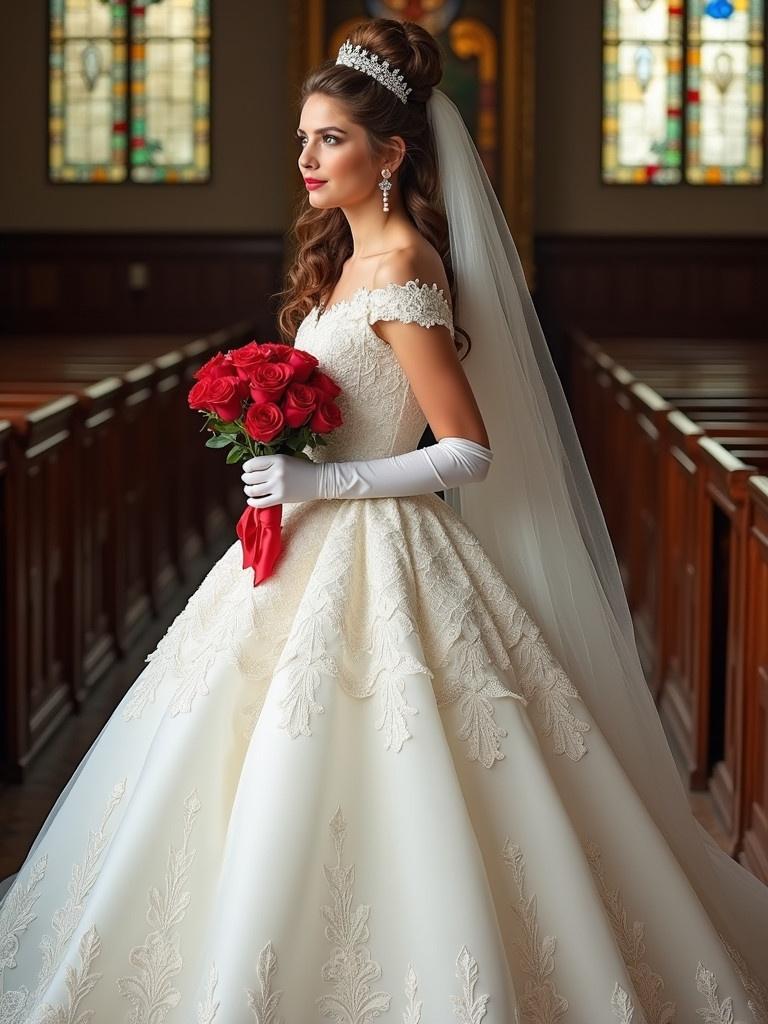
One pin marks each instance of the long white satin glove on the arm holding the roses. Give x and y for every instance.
(272, 480)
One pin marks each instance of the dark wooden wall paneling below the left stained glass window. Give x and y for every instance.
(138, 283)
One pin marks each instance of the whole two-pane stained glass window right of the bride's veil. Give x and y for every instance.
(684, 92)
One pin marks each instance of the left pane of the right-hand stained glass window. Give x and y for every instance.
(643, 81)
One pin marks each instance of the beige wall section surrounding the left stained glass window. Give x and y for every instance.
(251, 124)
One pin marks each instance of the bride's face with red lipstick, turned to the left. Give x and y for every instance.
(337, 152)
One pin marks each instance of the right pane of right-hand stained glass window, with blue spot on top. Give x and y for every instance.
(724, 109)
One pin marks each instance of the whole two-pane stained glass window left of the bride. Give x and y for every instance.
(130, 91)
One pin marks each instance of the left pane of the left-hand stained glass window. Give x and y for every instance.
(88, 112)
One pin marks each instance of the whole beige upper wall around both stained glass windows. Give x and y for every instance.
(253, 122)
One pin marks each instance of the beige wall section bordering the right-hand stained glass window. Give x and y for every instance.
(570, 198)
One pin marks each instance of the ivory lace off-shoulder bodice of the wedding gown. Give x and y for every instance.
(381, 414)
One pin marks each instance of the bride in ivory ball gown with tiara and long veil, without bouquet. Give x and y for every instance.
(416, 775)
